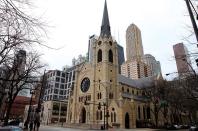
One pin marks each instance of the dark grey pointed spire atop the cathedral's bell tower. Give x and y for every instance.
(105, 28)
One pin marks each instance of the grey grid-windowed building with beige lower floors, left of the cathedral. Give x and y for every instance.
(59, 87)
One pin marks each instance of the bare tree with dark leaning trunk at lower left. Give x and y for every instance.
(17, 78)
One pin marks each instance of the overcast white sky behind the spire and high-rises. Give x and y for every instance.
(162, 24)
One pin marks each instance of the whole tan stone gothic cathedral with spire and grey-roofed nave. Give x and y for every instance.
(101, 95)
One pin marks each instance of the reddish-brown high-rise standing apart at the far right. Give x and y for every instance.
(182, 58)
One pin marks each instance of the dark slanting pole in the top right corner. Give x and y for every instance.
(188, 2)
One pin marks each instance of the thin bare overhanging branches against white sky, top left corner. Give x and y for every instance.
(17, 29)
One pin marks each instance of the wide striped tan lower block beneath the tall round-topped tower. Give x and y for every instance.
(135, 69)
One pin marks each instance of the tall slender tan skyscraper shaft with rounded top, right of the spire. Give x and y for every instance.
(134, 47)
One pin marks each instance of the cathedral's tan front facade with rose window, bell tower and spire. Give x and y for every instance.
(96, 81)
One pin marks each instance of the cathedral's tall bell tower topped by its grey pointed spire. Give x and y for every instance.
(105, 64)
